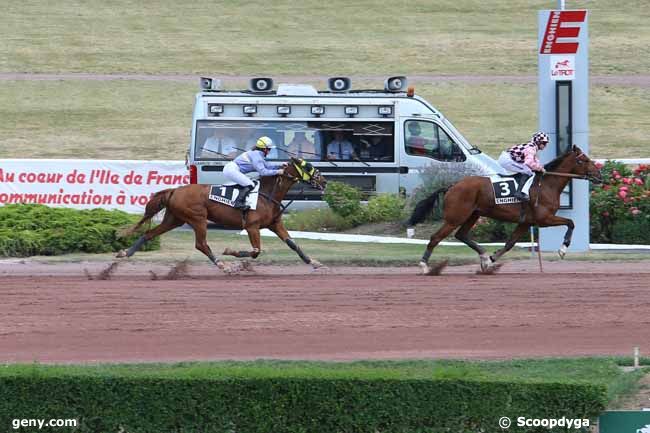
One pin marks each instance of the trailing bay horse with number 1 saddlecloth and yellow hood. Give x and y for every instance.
(189, 204)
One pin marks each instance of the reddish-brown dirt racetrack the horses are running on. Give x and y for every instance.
(53, 313)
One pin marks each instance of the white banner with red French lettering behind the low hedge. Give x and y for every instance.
(88, 184)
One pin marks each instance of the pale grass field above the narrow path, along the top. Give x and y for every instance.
(309, 37)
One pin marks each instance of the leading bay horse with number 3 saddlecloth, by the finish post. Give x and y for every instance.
(473, 197)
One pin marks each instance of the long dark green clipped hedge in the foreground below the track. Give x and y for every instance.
(289, 404)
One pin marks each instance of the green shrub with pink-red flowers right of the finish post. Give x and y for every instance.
(620, 207)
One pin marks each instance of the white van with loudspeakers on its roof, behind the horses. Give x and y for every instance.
(376, 140)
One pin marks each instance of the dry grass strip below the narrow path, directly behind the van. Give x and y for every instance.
(152, 119)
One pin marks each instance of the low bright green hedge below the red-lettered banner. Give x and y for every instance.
(32, 229)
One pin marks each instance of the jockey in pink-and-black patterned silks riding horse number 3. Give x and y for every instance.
(522, 159)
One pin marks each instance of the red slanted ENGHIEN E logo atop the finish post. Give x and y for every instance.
(562, 24)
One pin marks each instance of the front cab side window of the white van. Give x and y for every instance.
(422, 138)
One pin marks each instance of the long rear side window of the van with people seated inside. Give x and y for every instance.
(326, 140)
